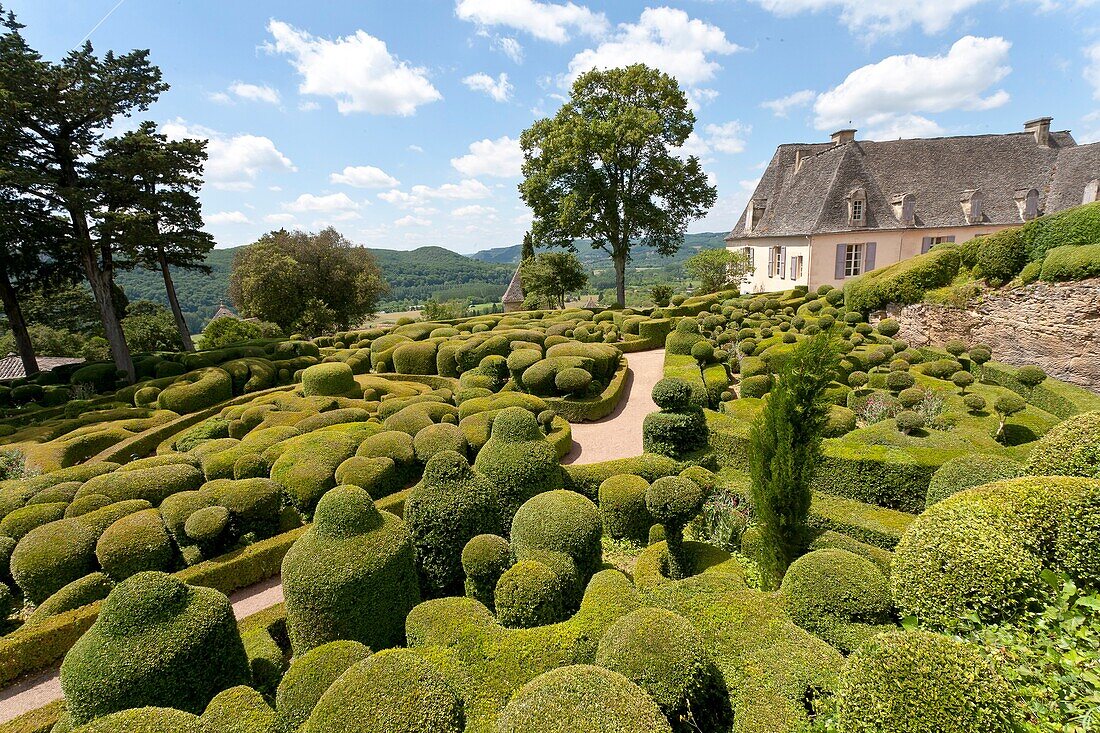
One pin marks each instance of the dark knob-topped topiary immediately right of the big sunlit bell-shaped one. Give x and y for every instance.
(450, 506)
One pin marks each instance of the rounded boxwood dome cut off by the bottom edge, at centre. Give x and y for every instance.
(582, 699)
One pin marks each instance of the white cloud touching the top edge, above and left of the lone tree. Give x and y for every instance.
(547, 21)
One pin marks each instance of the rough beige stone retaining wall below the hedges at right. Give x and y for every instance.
(1057, 326)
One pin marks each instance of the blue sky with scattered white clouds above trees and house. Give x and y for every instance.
(399, 123)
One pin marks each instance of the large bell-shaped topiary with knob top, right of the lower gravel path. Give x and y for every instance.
(351, 575)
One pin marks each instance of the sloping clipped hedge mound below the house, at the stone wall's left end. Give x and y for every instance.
(905, 282)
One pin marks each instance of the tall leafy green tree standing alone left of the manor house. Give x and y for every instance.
(608, 168)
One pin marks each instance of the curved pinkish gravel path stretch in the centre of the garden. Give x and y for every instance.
(620, 434)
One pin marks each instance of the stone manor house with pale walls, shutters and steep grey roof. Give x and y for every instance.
(826, 213)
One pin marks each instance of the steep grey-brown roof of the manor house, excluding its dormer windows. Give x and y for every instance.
(936, 171)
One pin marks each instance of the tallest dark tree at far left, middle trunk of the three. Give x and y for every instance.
(56, 116)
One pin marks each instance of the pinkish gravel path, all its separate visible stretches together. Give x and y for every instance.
(617, 436)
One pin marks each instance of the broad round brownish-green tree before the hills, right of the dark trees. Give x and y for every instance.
(314, 281)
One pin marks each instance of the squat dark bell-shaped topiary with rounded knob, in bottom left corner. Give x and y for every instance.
(158, 642)
